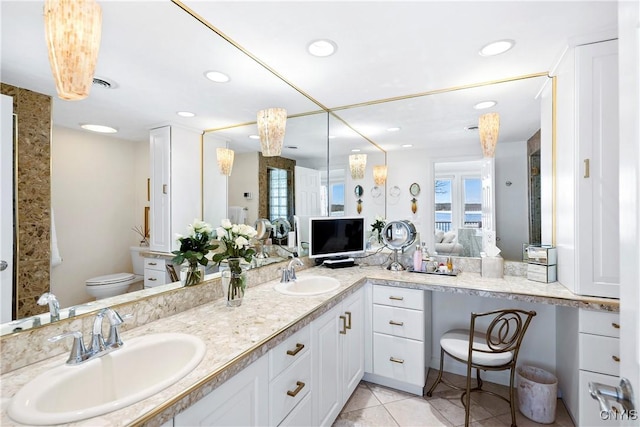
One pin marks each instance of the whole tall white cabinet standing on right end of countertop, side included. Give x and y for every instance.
(587, 180)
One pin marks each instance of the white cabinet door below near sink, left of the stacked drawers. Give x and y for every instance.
(240, 401)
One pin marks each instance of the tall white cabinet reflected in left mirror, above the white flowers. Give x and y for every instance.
(175, 184)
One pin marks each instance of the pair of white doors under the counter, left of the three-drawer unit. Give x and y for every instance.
(338, 357)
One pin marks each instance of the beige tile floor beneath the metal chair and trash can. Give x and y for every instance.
(374, 405)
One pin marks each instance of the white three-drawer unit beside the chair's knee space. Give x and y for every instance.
(401, 338)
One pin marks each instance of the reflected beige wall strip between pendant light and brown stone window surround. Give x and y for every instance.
(243, 179)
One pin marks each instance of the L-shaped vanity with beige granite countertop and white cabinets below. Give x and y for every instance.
(248, 342)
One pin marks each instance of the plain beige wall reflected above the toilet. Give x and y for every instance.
(98, 193)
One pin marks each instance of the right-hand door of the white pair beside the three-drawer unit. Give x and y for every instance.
(353, 343)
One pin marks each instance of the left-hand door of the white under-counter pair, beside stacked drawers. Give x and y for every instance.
(327, 367)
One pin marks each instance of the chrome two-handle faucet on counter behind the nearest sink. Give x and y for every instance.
(99, 346)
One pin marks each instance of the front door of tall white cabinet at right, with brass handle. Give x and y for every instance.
(597, 240)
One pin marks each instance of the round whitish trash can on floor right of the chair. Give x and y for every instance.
(537, 394)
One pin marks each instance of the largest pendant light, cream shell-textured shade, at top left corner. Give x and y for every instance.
(72, 30)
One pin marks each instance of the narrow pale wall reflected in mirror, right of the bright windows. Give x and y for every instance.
(512, 201)
